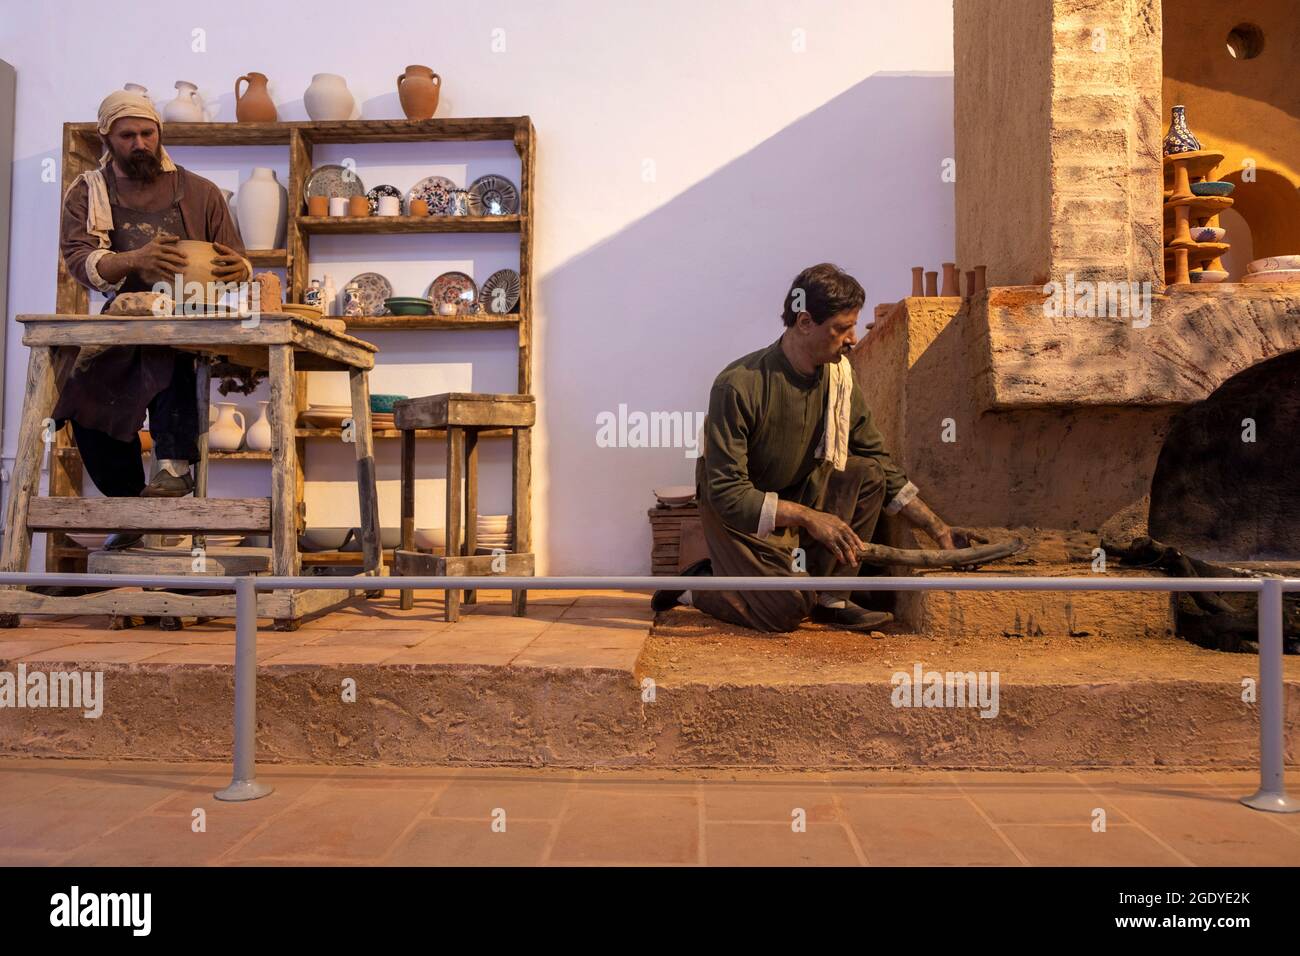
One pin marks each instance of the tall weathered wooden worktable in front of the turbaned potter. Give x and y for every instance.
(278, 343)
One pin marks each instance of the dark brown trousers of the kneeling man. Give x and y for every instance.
(855, 495)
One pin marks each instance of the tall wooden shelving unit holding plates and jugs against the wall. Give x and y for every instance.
(83, 150)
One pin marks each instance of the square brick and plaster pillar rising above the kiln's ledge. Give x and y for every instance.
(1059, 128)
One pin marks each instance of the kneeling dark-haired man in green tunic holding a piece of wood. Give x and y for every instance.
(794, 460)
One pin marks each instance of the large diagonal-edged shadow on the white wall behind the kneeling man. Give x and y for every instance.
(648, 318)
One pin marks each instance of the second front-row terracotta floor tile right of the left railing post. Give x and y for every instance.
(473, 843)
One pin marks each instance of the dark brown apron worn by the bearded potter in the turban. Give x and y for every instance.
(114, 392)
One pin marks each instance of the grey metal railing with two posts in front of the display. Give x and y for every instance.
(1272, 794)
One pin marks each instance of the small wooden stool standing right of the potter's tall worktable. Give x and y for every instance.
(466, 417)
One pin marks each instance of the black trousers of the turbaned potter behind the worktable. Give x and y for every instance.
(116, 468)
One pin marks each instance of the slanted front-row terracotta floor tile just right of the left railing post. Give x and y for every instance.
(337, 823)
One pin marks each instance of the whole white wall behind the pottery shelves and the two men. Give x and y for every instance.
(691, 161)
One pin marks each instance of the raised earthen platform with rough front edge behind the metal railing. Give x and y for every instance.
(588, 681)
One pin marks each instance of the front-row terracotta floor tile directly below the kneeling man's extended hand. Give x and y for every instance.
(912, 830)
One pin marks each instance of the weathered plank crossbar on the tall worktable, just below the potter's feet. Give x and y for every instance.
(151, 514)
